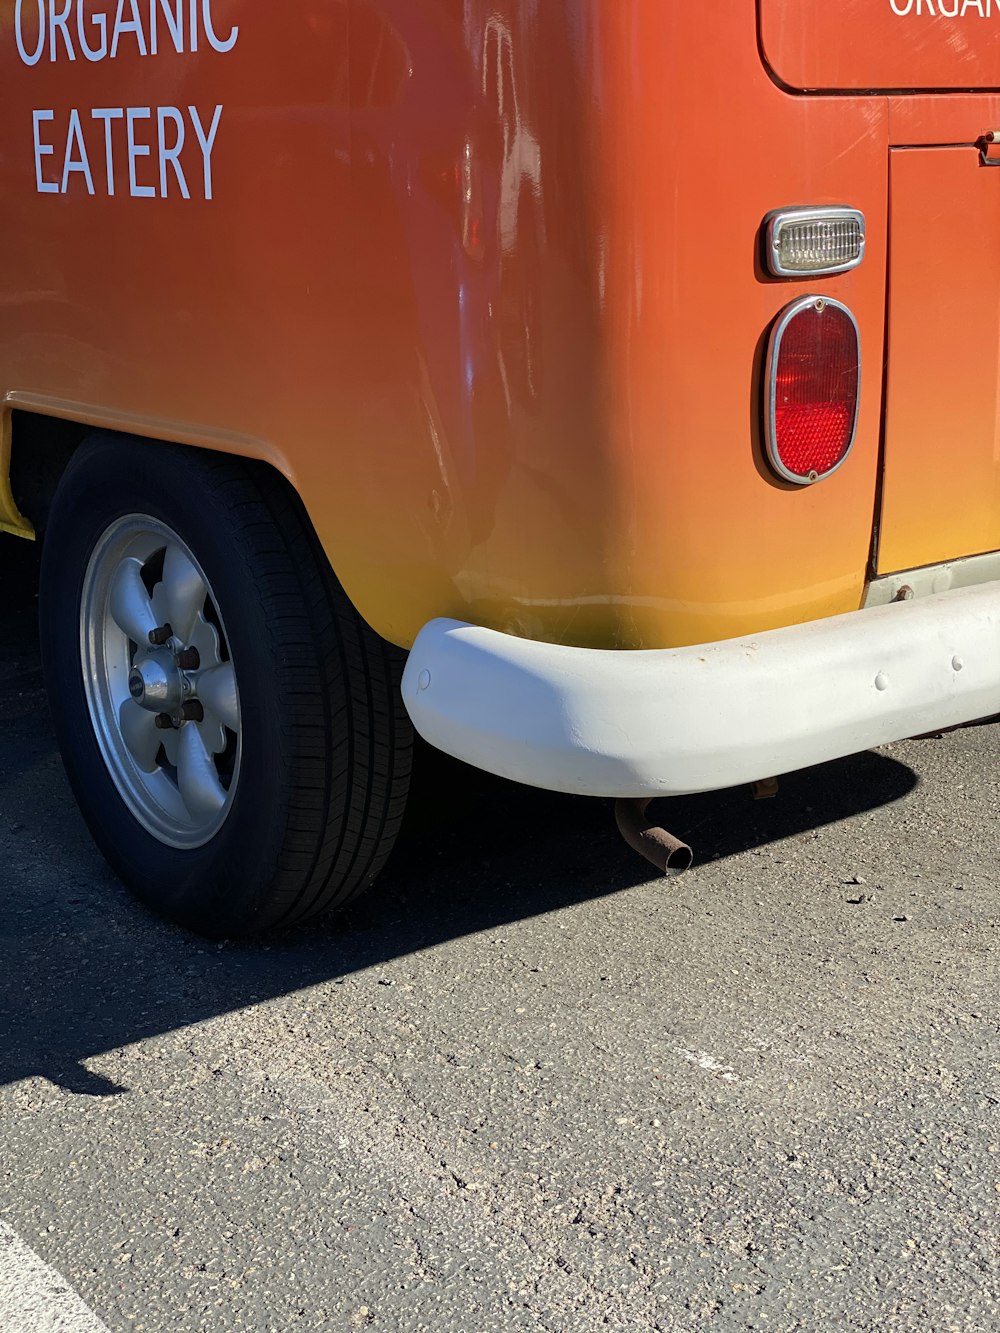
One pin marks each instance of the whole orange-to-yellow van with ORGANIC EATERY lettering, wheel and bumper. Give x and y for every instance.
(634, 366)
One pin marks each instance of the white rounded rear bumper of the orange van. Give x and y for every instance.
(605, 723)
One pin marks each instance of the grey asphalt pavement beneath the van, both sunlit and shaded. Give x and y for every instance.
(526, 1086)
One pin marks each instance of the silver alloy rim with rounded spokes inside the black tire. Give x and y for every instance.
(166, 714)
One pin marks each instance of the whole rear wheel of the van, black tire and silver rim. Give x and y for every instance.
(231, 728)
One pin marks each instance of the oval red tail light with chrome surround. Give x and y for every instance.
(814, 377)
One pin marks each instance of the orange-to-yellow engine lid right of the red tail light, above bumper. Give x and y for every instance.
(942, 486)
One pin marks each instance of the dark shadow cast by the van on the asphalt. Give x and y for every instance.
(85, 970)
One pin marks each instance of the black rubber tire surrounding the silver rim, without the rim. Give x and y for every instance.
(326, 744)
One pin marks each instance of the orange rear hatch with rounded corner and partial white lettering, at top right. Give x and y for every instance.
(882, 45)
